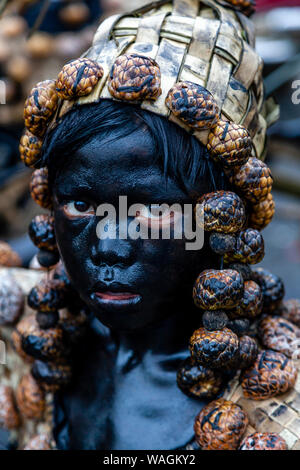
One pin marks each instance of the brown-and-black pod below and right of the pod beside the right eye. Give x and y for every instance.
(249, 248)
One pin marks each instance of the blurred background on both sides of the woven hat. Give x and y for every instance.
(37, 37)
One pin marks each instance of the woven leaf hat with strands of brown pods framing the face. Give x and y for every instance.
(193, 63)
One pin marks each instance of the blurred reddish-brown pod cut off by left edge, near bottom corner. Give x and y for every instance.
(9, 416)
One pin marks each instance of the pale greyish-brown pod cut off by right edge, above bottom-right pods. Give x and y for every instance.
(280, 335)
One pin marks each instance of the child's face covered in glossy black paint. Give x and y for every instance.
(127, 283)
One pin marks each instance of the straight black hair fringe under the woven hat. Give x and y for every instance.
(180, 155)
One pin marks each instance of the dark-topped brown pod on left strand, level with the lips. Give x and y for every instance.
(47, 296)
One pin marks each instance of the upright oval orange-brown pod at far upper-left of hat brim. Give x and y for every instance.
(40, 107)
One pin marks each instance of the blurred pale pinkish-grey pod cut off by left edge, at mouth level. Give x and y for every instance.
(11, 300)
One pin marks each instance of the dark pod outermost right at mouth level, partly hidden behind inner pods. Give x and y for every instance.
(272, 288)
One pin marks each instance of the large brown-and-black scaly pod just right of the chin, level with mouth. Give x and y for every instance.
(216, 290)
